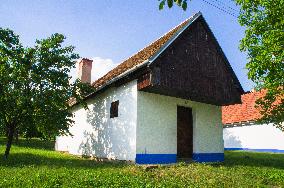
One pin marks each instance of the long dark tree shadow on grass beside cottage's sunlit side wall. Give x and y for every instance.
(29, 159)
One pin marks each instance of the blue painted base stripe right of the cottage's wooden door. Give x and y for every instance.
(208, 157)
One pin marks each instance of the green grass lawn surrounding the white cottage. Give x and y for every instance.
(35, 164)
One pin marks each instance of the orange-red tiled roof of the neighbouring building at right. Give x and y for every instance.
(243, 112)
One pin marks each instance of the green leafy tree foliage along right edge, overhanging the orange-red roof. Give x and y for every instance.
(264, 44)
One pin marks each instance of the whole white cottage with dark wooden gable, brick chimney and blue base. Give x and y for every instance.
(160, 105)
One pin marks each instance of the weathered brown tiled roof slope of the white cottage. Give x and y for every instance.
(142, 55)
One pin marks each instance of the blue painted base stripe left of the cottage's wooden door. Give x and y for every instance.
(155, 158)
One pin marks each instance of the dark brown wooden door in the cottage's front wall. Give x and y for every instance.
(184, 132)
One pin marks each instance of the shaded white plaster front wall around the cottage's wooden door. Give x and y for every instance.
(157, 125)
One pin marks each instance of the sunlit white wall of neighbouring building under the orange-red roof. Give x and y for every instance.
(254, 137)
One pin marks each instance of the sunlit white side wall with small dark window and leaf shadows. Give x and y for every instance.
(95, 133)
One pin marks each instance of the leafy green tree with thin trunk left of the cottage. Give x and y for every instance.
(34, 86)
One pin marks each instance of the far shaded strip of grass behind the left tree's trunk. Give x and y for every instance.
(30, 143)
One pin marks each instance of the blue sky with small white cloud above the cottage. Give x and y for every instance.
(110, 31)
